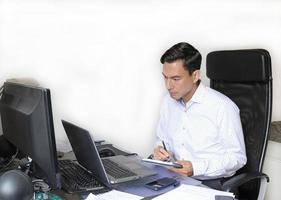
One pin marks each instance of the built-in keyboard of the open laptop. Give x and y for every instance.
(116, 171)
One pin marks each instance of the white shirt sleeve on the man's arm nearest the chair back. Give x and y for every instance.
(231, 136)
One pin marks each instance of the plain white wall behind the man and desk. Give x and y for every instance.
(101, 58)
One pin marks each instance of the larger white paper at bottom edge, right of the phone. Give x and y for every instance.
(192, 192)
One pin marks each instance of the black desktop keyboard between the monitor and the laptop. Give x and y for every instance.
(75, 179)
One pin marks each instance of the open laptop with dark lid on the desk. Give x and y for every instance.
(109, 170)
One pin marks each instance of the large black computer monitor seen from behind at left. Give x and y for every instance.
(27, 122)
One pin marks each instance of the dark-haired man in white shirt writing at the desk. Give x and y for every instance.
(199, 127)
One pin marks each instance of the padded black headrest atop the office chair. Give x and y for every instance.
(249, 65)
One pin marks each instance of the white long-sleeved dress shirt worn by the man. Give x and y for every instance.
(206, 131)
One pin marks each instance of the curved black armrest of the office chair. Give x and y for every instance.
(233, 183)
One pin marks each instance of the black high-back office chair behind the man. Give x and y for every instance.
(245, 77)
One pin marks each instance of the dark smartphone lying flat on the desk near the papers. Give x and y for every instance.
(162, 183)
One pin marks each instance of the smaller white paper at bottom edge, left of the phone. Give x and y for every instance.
(114, 195)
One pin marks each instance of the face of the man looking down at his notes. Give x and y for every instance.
(179, 83)
